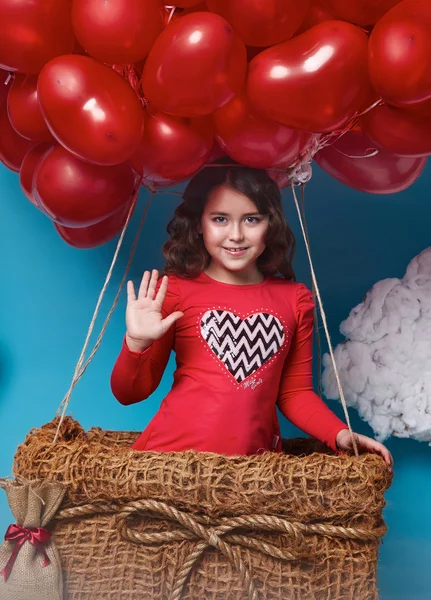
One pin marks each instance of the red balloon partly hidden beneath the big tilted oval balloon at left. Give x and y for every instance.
(75, 193)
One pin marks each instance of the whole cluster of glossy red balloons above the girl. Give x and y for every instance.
(257, 81)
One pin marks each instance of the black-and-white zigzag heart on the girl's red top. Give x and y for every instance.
(243, 345)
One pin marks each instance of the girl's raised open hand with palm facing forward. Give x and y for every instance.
(144, 319)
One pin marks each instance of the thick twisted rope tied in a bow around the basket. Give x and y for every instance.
(219, 536)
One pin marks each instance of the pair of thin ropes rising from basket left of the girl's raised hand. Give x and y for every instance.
(80, 367)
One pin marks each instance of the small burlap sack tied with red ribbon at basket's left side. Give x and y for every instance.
(33, 504)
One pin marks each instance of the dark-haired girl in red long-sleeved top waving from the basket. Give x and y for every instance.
(242, 335)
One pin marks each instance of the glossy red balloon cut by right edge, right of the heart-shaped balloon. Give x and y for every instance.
(400, 54)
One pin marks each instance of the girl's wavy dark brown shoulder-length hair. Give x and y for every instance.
(185, 253)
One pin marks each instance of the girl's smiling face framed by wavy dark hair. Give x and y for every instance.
(234, 233)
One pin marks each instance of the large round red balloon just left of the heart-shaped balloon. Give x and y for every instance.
(196, 65)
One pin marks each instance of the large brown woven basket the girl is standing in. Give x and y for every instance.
(303, 525)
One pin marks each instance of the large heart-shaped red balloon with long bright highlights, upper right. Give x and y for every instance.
(316, 81)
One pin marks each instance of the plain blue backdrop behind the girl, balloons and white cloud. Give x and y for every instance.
(48, 292)
